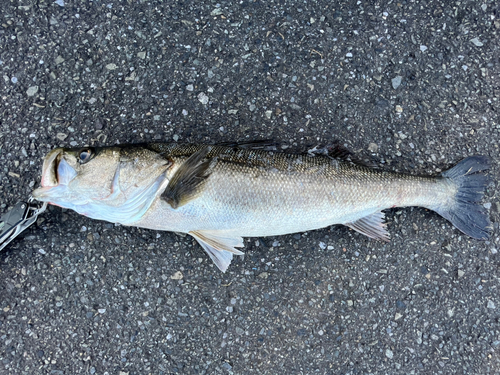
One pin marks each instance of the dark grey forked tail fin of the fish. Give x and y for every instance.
(464, 211)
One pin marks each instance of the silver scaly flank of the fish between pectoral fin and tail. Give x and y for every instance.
(265, 202)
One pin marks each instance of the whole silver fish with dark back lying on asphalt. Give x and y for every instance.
(219, 194)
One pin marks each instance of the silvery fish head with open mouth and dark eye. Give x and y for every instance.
(95, 181)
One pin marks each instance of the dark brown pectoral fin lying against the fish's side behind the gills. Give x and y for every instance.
(188, 180)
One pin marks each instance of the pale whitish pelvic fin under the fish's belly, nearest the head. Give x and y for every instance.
(219, 245)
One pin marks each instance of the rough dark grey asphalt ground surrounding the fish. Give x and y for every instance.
(413, 85)
